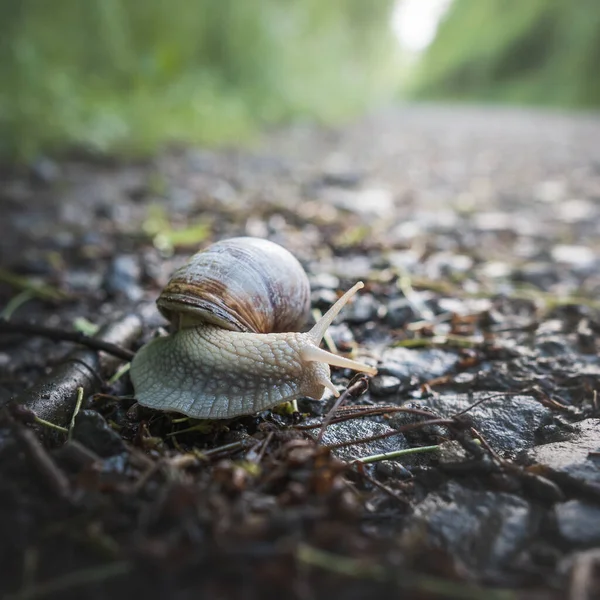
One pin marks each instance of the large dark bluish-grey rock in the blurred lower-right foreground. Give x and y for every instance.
(485, 531)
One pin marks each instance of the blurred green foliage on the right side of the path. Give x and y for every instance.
(525, 51)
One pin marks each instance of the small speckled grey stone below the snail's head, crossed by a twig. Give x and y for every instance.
(354, 430)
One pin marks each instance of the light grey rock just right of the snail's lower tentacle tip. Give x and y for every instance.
(414, 367)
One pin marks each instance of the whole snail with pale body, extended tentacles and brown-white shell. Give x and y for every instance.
(236, 308)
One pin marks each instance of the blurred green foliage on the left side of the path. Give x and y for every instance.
(128, 75)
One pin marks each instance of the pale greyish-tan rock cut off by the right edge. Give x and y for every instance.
(574, 460)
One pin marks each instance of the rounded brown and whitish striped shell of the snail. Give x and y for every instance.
(241, 284)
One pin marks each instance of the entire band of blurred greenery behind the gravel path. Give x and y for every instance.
(131, 75)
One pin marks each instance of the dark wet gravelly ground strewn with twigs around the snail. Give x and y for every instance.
(477, 233)
